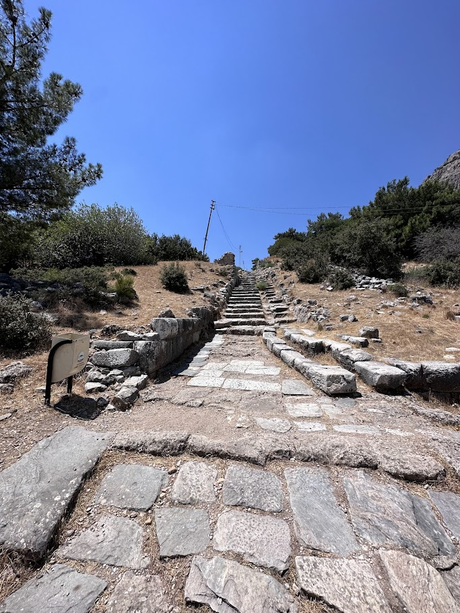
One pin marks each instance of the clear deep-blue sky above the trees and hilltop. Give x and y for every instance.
(275, 104)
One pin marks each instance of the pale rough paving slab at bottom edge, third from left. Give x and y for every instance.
(228, 587)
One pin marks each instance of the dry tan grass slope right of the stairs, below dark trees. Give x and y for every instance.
(409, 333)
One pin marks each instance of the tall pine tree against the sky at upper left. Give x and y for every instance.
(37, 177)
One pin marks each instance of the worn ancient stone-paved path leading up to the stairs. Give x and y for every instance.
(318, 504)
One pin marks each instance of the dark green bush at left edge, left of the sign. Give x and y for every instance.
(21, 331)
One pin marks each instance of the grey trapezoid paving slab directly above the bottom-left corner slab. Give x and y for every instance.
(111, 540)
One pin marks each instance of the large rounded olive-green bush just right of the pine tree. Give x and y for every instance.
(93, 236)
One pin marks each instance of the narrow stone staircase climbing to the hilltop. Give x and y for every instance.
(245, 314)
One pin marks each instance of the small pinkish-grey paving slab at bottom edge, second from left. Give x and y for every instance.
(139, 594)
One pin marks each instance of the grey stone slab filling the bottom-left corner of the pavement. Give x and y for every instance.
(59, 589)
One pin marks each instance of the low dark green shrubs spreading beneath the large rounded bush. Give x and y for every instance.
(87, 284)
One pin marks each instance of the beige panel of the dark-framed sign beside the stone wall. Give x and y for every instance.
(70, 358)
